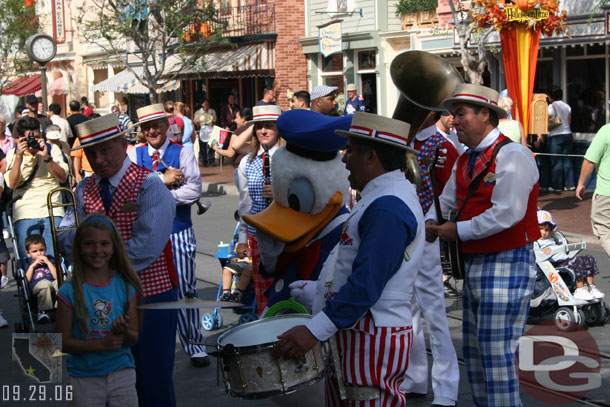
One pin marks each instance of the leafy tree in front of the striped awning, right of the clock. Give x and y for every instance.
(154, 32)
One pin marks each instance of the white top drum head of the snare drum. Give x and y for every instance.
(262, 331)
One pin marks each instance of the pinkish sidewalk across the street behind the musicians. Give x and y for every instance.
(571, 214)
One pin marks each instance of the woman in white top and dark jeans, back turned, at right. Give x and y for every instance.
(560, 143)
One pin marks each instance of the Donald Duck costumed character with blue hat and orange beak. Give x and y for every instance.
(310, 187)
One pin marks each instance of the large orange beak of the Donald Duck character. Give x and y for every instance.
(292, 227)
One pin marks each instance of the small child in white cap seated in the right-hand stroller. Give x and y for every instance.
(583, 266)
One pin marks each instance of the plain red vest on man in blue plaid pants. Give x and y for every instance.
(480, 201)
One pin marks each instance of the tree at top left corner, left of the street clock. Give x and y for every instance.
(17, 23)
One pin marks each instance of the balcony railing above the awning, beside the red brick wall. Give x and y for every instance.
(238, 21)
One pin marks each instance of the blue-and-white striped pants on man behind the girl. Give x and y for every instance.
(184, 245)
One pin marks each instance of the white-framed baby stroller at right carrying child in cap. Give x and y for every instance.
(553, 296)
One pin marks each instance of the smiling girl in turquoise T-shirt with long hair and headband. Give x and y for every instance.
(98, 318)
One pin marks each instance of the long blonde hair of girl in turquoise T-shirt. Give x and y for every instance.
(119, 263)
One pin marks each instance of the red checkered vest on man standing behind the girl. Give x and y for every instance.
(160, 275)
